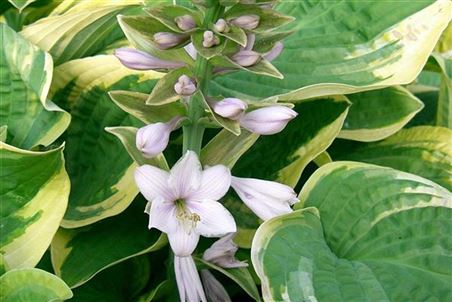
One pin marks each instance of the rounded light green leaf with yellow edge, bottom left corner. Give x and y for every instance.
(32, 284)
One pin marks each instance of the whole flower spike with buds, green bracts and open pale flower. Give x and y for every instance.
(184, 202)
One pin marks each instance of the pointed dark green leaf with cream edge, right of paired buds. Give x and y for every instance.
(377, 114)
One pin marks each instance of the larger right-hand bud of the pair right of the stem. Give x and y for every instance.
(267, 120)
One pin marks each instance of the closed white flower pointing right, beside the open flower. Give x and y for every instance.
(267, 199)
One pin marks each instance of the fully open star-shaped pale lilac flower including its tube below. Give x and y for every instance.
(183, 204)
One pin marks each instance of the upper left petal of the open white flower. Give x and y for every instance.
(153, 182)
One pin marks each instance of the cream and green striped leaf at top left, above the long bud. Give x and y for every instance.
(80, 31)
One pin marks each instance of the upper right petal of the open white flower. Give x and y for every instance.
(215, 182)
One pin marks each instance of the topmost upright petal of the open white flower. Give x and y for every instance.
(185, 176)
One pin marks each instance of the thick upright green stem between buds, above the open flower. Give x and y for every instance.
(193, 132)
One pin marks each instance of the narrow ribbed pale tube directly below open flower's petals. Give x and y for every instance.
(188, 281)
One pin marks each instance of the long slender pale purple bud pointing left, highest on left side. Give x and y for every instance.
(139, 60)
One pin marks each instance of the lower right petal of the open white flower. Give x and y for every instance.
(215, 220)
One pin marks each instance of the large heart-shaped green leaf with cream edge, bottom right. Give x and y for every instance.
(378, 235)
